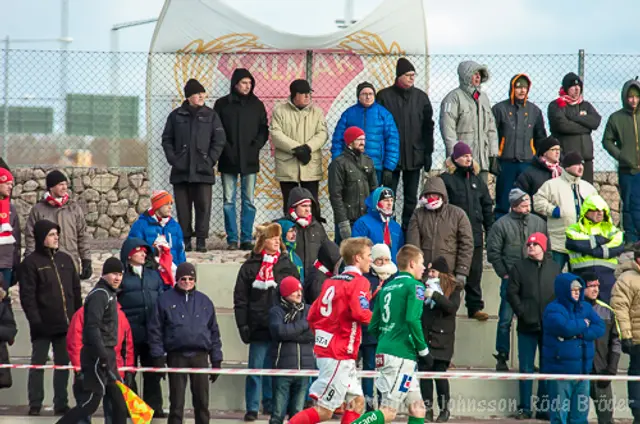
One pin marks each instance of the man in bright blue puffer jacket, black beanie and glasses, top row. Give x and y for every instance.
(383, 141)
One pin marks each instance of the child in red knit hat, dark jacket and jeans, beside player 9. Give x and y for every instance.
(292, 349)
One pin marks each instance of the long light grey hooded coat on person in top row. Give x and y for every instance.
(462, 118)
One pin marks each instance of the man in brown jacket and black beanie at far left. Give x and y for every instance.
(56, 206)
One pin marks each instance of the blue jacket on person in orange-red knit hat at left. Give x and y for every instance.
(148, 229)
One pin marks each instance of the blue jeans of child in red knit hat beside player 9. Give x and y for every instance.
(289, 394)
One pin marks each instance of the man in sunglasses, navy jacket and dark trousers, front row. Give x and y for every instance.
(184, 332)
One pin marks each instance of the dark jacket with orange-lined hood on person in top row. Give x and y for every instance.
(520, 126)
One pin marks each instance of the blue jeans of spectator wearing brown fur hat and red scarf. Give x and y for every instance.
(259, 357)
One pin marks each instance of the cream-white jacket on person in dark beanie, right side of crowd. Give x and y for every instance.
(559, 192)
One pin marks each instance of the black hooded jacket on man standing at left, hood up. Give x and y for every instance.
(49, 286)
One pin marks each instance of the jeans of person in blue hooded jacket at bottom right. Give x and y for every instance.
(569, 401)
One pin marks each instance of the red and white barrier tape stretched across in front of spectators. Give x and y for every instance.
(450, 375)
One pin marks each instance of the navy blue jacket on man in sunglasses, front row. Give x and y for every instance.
(185, 322)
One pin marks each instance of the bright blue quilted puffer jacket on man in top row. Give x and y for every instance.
(382, 139)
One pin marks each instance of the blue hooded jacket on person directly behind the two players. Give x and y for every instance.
(371, 225)
